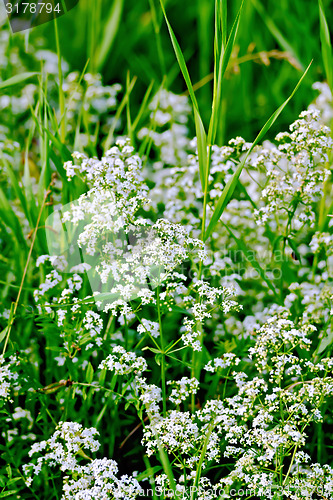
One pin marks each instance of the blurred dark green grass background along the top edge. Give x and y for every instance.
(276, 42)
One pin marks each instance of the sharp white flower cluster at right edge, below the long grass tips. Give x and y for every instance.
(296, 172)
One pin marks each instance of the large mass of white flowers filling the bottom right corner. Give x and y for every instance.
(266, 418)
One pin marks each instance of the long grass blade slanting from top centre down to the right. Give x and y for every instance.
(199, 127)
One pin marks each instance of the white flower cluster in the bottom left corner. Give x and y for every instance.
(97, 479)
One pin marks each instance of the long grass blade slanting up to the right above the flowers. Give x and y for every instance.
(231, 184)
